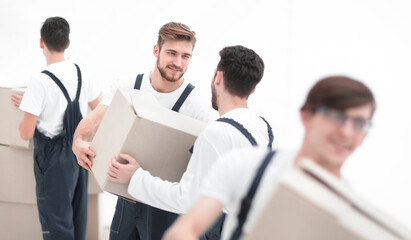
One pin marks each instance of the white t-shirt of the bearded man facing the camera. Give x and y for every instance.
(193, 106)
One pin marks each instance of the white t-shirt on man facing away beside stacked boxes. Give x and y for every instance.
(44, 99)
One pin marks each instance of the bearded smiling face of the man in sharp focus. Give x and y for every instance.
(173, 59)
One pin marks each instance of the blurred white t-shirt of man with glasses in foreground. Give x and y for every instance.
(230, 179)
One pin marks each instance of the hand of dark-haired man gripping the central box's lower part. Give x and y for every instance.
(122, 173)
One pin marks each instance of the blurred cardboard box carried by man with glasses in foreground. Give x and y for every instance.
(312, 204)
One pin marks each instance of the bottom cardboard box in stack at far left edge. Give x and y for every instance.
(19, 221)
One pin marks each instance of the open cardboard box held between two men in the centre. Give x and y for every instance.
(159, 138)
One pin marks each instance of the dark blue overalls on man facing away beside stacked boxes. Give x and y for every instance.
(61, 184)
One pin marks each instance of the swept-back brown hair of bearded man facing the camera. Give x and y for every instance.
(175, 31)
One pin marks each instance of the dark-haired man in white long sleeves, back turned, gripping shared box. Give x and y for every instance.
(239, 71)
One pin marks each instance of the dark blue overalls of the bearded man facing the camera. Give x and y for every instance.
(136, 220)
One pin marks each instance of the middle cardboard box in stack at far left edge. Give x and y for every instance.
(17, 182)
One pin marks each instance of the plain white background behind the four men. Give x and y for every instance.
(300, 42)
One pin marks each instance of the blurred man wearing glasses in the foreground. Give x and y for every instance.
(336, 117)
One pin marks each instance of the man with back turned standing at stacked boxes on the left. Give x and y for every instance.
(53, 104)
